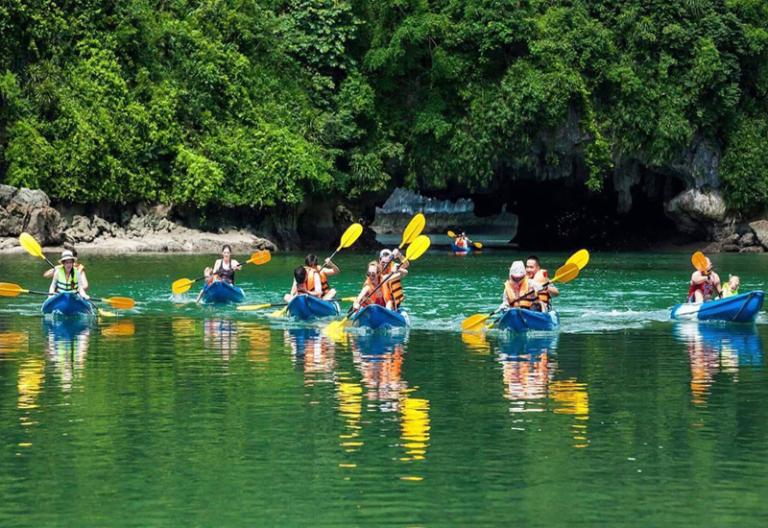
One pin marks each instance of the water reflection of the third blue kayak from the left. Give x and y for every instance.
(313, 352)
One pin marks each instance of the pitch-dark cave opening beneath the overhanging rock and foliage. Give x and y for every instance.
(559, 214)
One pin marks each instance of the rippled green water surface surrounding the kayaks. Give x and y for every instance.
(177, 414)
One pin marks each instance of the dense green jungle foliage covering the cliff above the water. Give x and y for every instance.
(261, 102)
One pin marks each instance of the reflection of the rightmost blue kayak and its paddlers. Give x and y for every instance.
(718, 349)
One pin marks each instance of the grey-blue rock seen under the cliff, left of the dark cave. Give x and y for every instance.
(402, 204)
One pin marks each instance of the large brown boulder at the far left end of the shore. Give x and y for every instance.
(25, 210)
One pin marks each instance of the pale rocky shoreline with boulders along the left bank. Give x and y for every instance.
(150, 230)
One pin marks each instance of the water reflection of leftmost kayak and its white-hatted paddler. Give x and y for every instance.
(67, 342)
